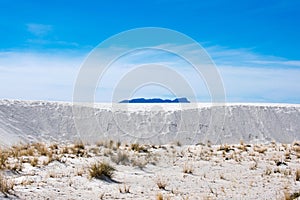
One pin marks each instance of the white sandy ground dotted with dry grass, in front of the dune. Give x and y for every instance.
(241, 171)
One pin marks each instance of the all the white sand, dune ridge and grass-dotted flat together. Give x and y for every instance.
(175, 168)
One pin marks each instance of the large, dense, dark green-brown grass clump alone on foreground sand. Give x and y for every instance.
(101, 170)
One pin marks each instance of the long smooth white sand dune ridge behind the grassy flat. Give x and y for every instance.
(154, 123)
